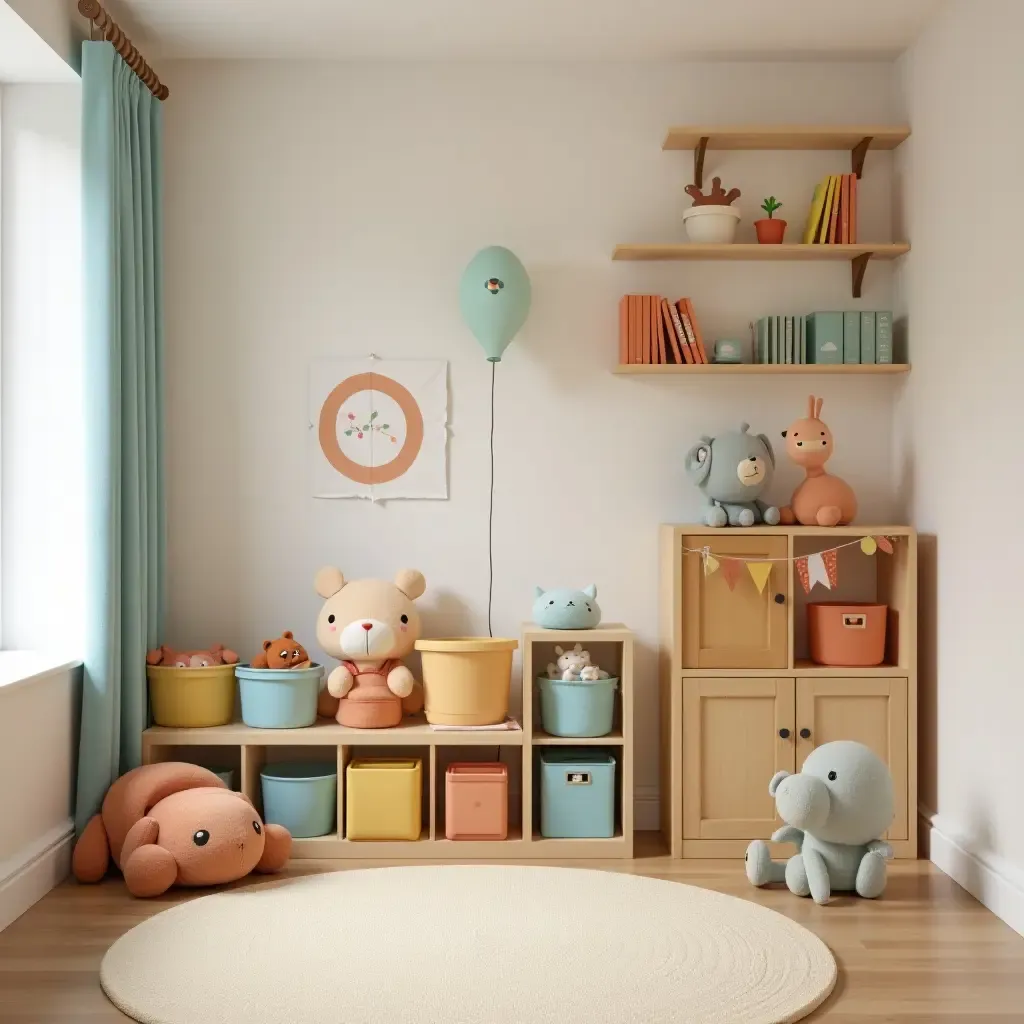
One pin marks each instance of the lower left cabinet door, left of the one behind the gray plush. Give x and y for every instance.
(737, 735)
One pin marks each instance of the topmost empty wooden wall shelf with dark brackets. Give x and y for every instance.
(858, 139)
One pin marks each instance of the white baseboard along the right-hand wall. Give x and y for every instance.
(994, 882)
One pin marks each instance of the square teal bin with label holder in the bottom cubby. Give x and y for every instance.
(578, 794)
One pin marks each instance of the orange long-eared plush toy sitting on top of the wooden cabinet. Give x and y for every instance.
(822, 500)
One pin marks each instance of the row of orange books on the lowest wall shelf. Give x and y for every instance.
(656, 330)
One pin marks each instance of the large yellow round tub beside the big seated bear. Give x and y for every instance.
(466, 679)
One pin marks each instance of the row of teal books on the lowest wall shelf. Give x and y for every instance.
(852, 336)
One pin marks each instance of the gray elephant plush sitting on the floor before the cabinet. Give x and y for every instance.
(835, 810)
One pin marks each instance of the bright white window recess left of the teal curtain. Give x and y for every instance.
(41, 529)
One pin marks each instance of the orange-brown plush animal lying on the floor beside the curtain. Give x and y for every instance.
(175, 824)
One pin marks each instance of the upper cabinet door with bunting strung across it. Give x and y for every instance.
(743, 628)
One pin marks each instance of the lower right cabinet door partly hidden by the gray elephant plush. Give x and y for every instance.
(871, 711)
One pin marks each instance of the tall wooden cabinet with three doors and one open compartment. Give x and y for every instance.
(740, 698)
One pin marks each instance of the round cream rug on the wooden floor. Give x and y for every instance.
(468, 946)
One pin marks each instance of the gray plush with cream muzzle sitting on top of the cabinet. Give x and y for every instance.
(734, 471)
